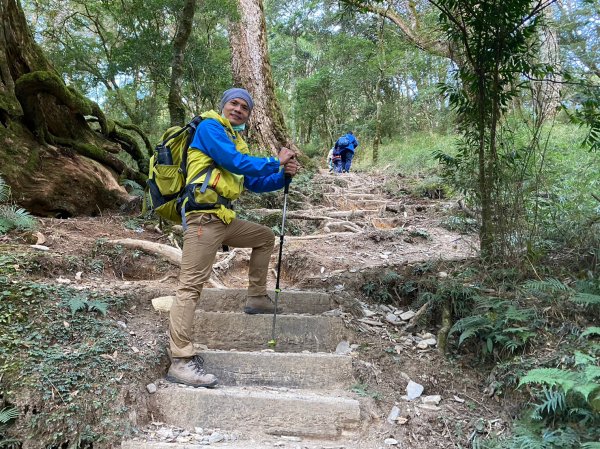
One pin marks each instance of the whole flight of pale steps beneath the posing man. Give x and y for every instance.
(301, 390)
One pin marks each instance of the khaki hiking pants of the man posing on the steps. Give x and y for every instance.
(202, 239)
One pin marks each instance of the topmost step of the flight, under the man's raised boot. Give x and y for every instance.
(291, 301)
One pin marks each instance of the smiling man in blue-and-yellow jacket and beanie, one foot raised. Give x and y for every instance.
(219, 168)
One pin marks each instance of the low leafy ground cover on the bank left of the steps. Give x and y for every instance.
(64, 364)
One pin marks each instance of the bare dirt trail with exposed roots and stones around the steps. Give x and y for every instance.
(347, 231)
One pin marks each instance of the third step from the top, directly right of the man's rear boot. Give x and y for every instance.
(291, 370)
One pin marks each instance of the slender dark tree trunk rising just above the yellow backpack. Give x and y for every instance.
(184, 29)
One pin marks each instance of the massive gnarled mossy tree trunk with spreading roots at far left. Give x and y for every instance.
(55, 163)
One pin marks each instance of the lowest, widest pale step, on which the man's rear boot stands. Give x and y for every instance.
(257, 409)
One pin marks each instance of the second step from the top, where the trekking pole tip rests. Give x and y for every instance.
(294, 333)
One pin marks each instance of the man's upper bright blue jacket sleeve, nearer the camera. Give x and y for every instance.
(212, 140)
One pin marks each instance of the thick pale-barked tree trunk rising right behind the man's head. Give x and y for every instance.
(252, 70)
